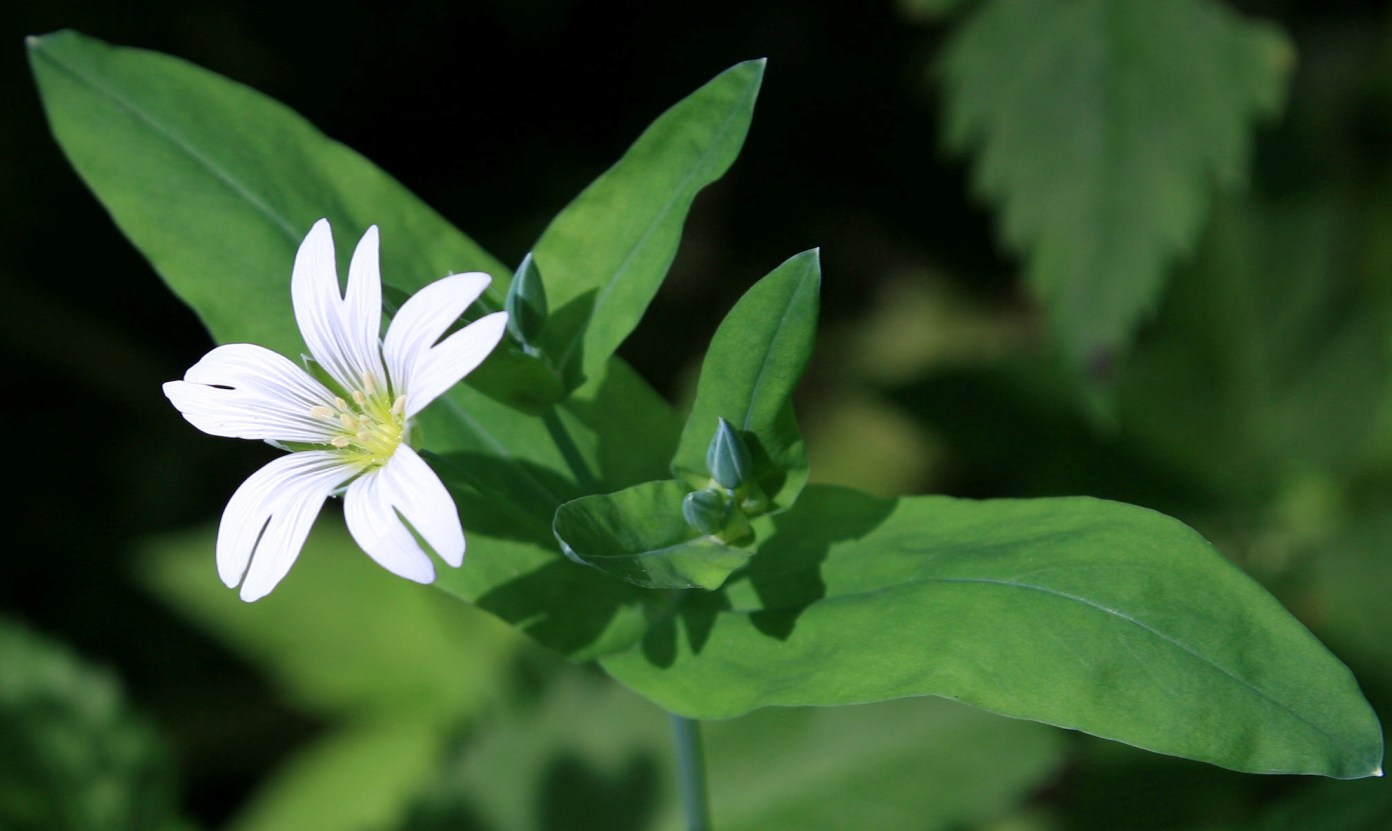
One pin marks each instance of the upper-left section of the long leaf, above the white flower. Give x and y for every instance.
(218, 186)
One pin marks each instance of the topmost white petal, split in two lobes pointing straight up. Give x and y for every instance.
(340, 336)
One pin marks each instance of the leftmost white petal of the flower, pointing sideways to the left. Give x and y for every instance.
(248, 392)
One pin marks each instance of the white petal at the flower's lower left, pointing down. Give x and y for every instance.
(269, 517)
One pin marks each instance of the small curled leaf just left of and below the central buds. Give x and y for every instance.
(640, 535)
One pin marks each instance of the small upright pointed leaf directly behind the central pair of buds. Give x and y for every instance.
(748, 379)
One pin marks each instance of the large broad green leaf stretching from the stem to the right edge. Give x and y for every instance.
(1081, 613)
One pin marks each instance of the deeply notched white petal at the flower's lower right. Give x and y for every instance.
(404, 489)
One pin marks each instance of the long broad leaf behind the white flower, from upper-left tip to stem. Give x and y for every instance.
(216, 184)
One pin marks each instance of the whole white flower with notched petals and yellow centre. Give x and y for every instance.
(354, 435)
